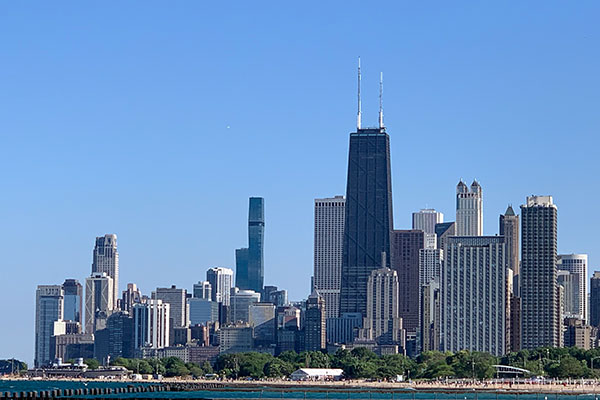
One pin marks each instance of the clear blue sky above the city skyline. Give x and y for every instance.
(157, 120)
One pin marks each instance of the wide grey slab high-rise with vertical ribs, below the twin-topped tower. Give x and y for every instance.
(474, 295)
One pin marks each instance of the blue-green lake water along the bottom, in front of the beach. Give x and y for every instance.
(289, 393)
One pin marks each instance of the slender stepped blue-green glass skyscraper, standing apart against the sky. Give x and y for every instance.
(249, 272)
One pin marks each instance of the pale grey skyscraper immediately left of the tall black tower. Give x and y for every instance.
(328, 250)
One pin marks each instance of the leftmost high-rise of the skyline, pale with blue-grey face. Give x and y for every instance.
(48, 309)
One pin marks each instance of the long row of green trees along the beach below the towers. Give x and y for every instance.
(362, 363)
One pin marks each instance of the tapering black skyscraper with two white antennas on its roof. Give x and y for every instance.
(368, 212)
